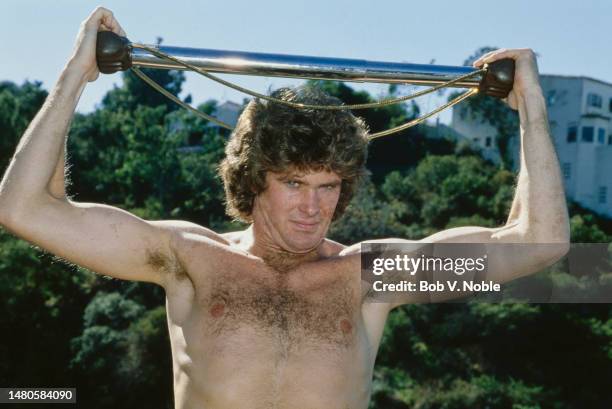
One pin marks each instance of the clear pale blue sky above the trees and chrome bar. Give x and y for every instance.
(571, 37)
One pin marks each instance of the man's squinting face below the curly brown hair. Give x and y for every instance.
(296, 209)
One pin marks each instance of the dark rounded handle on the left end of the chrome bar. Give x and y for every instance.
(113, 52)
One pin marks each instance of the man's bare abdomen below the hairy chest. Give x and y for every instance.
(251, 371)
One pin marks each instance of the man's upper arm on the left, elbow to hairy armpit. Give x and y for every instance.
(104, 239)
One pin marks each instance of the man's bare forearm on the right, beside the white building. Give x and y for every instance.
(540, 192)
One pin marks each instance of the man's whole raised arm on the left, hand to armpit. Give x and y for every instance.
(33, 202)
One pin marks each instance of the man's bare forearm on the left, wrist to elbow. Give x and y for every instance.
(40, 151)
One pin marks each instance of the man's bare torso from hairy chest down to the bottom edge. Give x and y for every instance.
(273, 342)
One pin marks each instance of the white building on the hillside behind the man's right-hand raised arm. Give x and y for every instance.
(579, 112)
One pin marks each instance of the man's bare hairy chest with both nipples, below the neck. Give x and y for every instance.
(239, 300)
